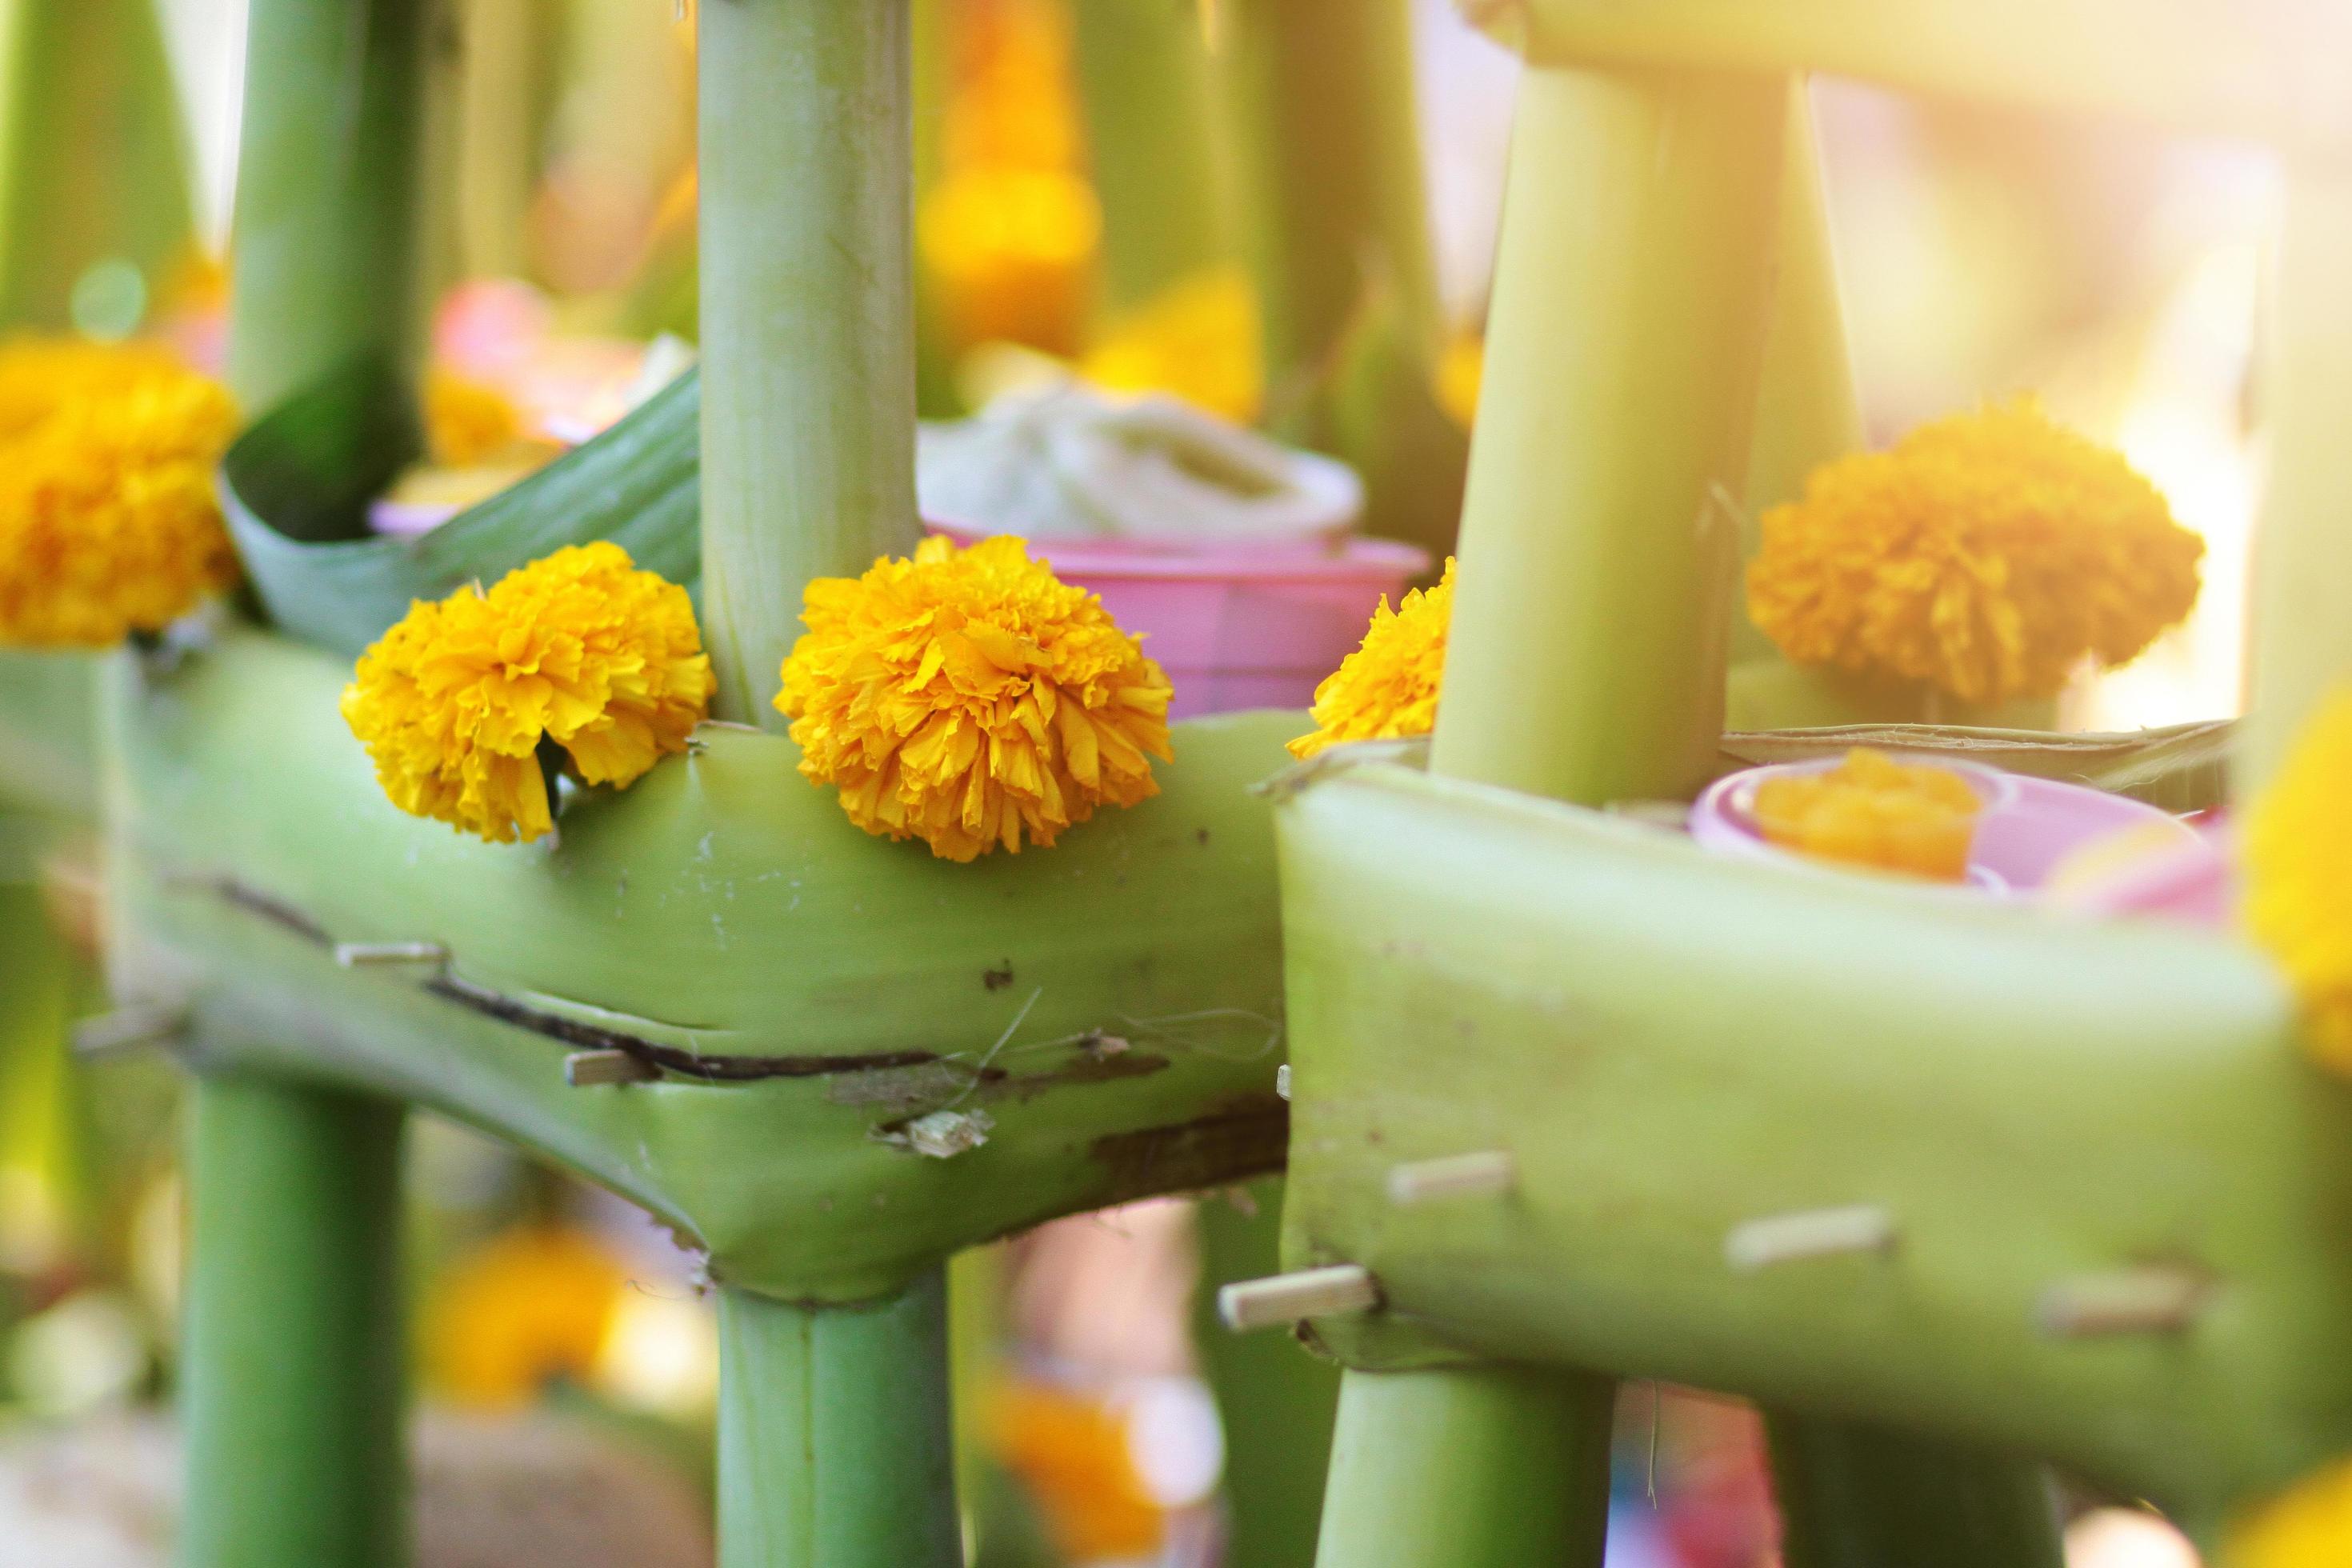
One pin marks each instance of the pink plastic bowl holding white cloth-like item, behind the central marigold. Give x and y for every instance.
(1236, 629)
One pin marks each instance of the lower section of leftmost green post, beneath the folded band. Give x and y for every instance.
(293, 1343)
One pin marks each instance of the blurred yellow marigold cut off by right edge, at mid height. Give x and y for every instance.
(2299, 878)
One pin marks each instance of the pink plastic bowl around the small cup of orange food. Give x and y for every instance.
(2026, 831)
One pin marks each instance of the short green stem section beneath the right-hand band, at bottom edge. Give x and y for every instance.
(1469, 1468)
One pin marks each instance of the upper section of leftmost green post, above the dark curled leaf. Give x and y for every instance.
(328, 194)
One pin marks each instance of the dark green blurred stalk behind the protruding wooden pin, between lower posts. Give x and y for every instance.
(1274, 1398)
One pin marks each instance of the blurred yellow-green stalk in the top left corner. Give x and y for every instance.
(93, 156)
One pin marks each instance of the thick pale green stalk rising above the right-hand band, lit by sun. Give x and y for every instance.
(1598, 528)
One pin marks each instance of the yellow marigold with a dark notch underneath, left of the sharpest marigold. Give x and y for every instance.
(577, 650)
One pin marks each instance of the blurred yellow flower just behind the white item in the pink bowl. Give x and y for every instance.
(1196, 340)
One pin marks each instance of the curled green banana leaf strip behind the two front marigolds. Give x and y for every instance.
(300, 481)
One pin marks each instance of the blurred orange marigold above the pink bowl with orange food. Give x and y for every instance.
(1989, 554)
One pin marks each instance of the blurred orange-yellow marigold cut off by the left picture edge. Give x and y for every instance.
(109, 518)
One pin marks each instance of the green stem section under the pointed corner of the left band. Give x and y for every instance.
(834, 1433)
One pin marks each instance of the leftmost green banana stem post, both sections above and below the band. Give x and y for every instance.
(293, 1346)
